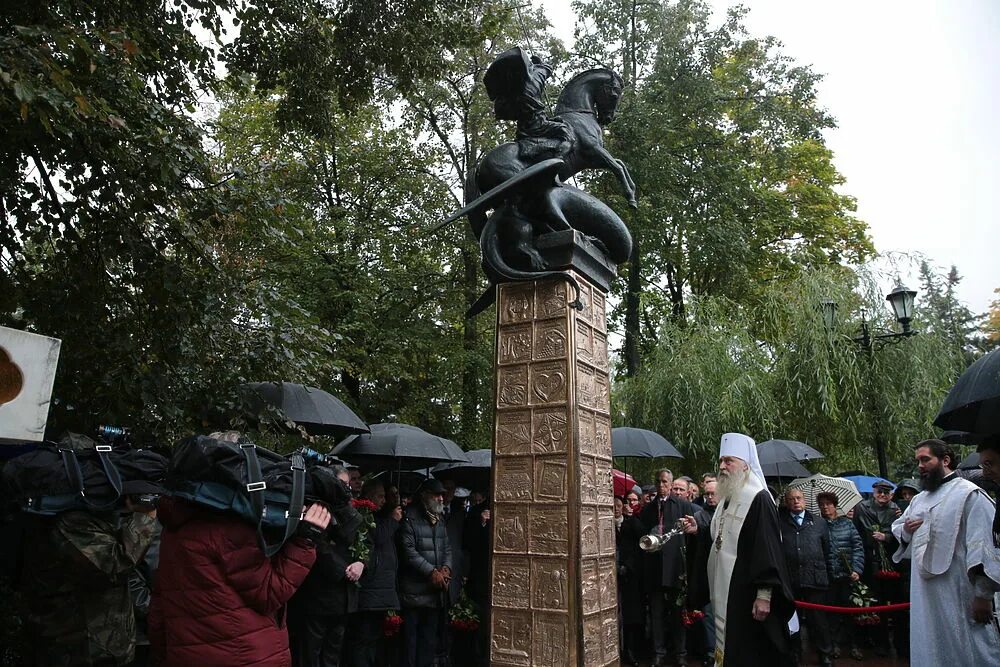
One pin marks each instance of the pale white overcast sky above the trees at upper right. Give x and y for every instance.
(915, 88)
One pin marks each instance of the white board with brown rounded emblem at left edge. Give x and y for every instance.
(27, 370)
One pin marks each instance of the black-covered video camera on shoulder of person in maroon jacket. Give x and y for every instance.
(256, 484)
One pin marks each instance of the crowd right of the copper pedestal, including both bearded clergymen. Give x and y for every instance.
(727, 592)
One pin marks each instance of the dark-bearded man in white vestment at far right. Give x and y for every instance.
(946, 533)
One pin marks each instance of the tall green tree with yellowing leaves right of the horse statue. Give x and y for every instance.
(723, 134)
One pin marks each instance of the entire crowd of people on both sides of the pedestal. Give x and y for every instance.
(373, 577)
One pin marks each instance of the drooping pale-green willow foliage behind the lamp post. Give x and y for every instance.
(773, 370)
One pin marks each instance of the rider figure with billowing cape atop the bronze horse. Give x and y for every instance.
(516, 85)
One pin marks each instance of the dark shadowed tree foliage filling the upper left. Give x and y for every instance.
(119, 232)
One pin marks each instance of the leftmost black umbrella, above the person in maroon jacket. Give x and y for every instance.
(316, 411)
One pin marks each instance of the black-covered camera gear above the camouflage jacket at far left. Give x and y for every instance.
(78, 474)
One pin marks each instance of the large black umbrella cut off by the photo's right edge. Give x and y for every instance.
(973, 404)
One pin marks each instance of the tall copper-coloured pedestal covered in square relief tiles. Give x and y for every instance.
(553, 575)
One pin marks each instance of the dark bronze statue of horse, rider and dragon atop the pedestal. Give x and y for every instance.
(524, 180)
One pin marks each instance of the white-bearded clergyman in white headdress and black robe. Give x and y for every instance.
(749, 585)
